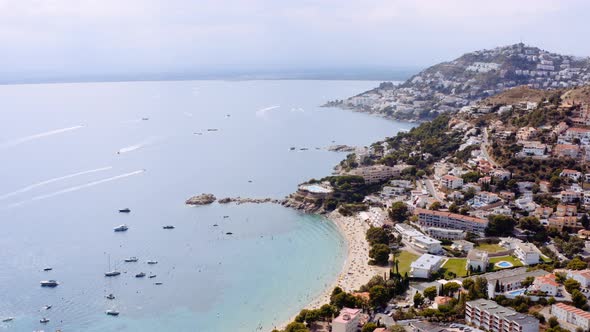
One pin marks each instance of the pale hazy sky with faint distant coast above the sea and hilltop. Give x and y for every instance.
(80, 37)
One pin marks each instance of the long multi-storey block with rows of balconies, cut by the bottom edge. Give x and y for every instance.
(490, 316)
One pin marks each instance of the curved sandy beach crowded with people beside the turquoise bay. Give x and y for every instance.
(356, 270)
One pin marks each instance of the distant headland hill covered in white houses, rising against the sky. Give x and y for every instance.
(448, 86)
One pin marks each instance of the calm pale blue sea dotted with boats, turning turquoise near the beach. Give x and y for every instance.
(72, 155)
